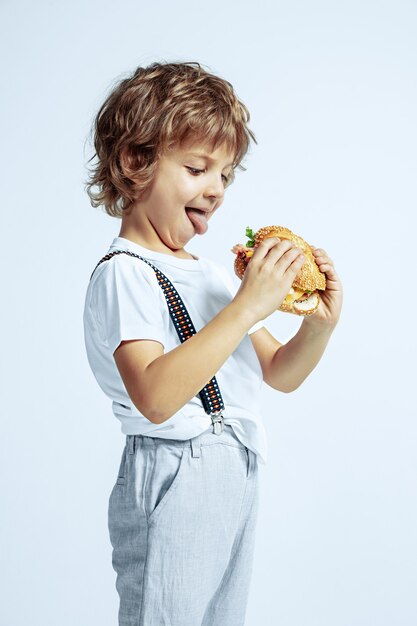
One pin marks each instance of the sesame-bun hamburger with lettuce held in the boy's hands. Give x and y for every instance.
(303, 297)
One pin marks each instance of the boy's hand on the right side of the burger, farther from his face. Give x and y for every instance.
(331, 299)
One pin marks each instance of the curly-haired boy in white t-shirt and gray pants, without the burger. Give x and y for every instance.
(183, 510)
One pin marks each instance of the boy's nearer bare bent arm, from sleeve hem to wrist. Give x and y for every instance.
(159, 383)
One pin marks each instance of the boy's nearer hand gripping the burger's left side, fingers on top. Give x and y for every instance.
(269, 276)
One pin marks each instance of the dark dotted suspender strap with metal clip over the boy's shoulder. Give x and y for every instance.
(210, 395)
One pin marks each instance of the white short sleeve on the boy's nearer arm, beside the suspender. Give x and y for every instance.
(128, 304)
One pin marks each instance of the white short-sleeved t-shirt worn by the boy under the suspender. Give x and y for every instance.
(125, 301)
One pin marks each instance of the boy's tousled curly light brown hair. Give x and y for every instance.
(156, 108)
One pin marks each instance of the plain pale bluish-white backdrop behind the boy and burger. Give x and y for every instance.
(332, 91)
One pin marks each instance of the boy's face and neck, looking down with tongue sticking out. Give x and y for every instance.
(191, 175)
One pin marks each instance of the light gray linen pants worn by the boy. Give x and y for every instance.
(182, 518)
